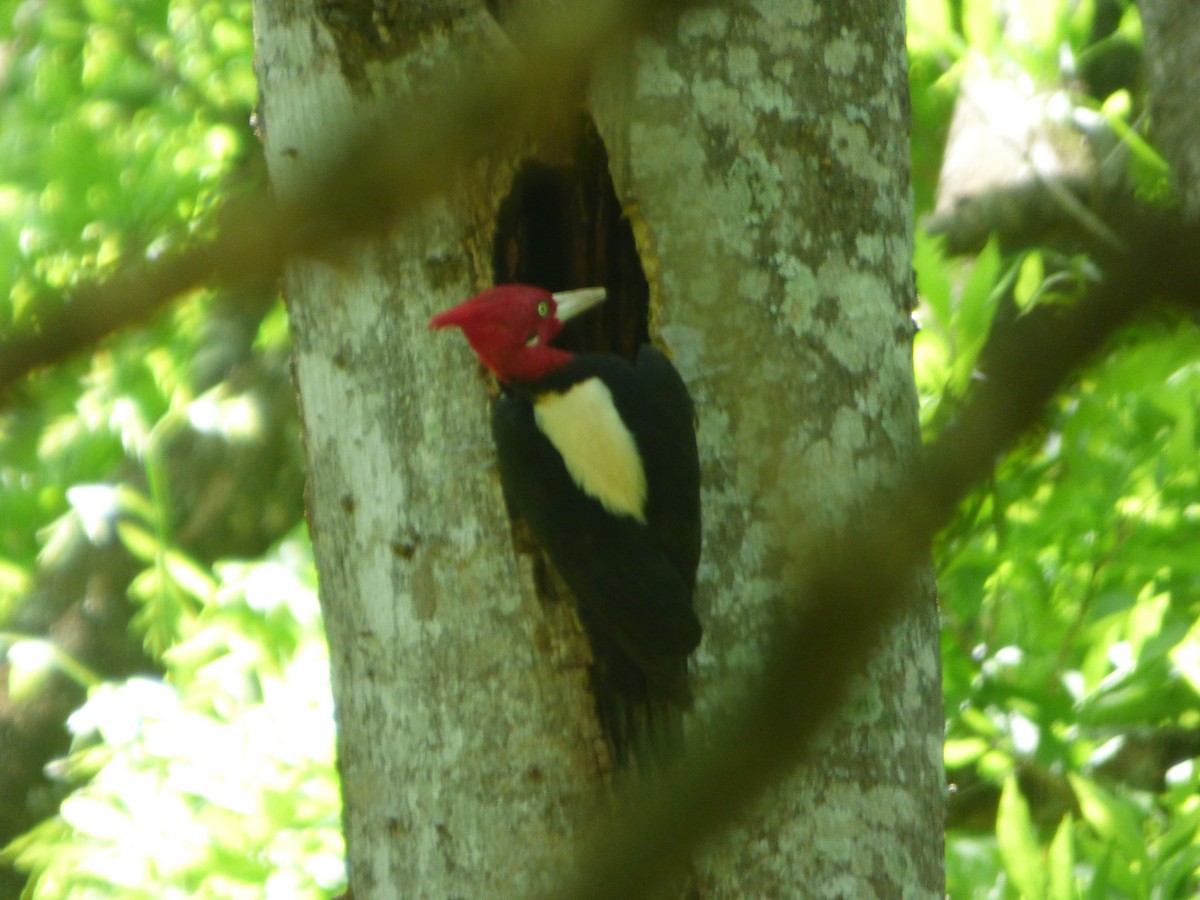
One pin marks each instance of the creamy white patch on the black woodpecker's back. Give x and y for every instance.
(601, 454)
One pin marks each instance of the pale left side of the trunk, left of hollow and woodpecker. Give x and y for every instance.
(465, 747)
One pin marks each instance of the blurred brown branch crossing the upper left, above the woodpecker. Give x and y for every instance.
(409, 154)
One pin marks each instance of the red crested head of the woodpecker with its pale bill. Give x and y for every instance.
(511, 328)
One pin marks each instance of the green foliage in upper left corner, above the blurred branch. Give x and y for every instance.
(118, 119)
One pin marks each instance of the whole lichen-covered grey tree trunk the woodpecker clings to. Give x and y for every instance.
(760, 154)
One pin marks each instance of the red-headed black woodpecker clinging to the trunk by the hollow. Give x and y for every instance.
(599, 457)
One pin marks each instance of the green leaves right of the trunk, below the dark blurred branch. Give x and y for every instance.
(1069, 590)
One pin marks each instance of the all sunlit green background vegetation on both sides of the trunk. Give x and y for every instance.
(161, 640)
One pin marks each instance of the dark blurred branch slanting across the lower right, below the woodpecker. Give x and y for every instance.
(857, 593)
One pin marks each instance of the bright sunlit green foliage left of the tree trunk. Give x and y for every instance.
(124, 129)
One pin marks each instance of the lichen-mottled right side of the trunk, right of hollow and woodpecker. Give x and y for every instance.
(761, 151)
